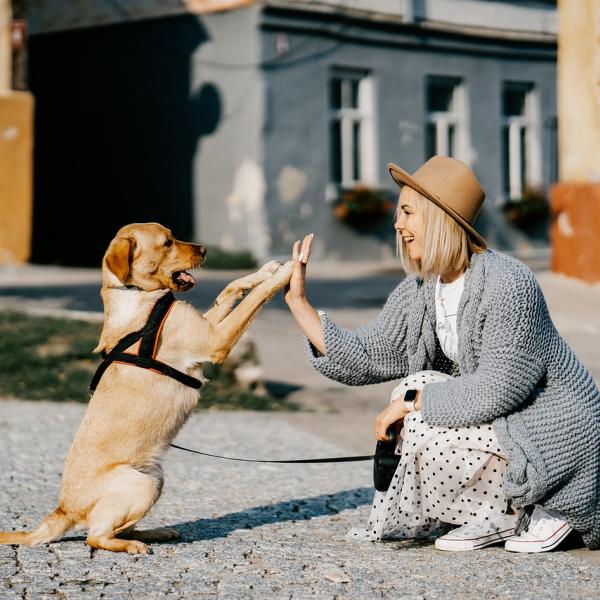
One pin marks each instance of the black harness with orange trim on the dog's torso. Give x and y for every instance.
(146, 350)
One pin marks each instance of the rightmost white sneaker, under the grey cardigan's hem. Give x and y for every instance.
(545, 531)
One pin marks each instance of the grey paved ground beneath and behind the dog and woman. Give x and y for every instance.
(265, 531)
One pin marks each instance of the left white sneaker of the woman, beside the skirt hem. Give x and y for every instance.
(478, 534)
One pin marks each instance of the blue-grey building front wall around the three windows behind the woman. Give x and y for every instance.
(399, 60)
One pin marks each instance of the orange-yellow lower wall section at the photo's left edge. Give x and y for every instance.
(16, 158)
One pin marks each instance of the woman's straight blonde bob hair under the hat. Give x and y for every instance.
(446, 245)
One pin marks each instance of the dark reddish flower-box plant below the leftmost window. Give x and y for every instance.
(362, 206)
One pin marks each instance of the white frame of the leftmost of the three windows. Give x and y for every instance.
(364, 115)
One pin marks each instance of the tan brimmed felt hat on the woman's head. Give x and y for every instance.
(451, 185)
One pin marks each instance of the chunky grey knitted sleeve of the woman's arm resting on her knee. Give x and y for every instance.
(510, 364)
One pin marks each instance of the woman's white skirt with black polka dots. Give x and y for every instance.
(445, 477)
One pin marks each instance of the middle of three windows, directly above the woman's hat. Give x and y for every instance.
(444, 133)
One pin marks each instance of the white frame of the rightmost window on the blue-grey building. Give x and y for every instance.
(529, 124)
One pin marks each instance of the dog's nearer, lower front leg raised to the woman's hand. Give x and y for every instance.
(229, 331)
